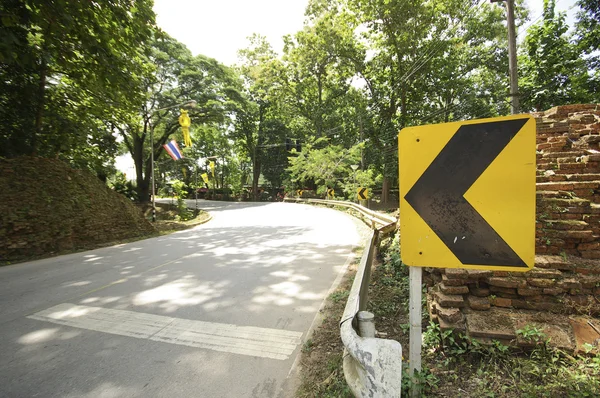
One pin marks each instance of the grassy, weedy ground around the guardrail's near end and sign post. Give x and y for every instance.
(454, 365)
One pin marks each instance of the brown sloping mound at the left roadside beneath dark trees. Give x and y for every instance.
(46, 207)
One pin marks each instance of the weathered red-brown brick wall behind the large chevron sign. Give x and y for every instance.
(566, 276)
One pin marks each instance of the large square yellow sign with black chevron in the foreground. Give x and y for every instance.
(468, 194)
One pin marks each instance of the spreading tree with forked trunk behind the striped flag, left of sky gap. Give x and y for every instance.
(177, 78)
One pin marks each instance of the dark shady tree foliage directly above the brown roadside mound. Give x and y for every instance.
(65, 66)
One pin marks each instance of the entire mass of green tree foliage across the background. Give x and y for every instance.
(84, 82)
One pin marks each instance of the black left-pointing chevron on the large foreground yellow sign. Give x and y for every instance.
(438, 195)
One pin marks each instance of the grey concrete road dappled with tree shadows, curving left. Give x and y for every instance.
(217, 311)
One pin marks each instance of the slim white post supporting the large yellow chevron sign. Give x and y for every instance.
(415, 276)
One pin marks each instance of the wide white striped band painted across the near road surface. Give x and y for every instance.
(244, 340)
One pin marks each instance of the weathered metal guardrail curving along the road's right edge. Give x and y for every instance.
(372, 366)
